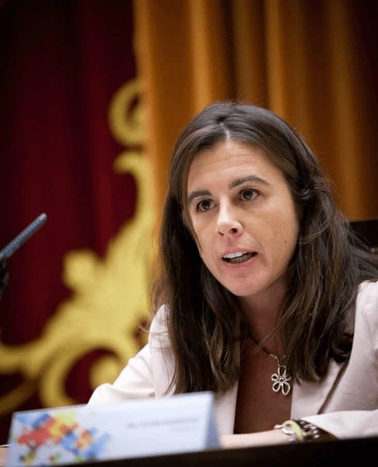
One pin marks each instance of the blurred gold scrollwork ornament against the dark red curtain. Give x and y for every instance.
(109, 295)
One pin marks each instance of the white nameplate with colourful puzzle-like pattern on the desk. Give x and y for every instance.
(138, 428)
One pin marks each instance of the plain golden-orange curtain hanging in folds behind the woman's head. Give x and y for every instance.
(312, 62)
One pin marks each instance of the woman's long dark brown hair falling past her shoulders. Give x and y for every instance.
(323, 276)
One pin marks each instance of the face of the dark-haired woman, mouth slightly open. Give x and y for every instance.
(244, 219)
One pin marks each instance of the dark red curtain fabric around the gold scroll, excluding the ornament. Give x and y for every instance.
(61, 62)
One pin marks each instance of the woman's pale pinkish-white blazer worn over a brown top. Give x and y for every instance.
(344, 403)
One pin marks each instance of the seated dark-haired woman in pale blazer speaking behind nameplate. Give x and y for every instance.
(265, 295)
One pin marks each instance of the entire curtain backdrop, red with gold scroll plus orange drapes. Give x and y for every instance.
(93, 94)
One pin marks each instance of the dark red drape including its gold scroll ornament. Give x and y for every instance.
(69, 149)
